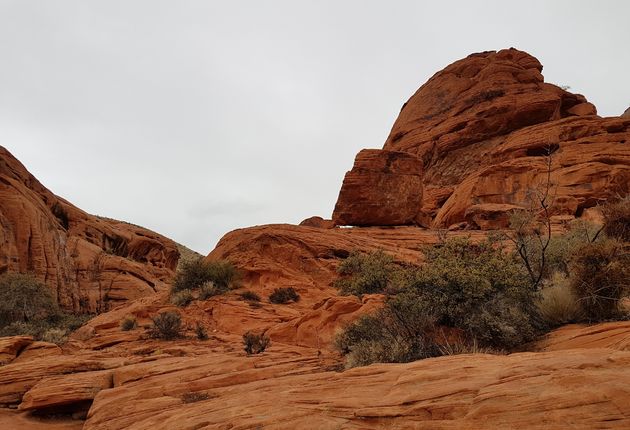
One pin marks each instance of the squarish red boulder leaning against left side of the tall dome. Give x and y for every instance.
(383, 188)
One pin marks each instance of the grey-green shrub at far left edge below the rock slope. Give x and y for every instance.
(23, 298)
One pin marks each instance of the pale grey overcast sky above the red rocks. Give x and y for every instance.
(194, 118)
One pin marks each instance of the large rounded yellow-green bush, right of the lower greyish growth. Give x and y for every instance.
(480, 289)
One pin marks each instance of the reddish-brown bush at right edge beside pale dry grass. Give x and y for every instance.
(600, 275)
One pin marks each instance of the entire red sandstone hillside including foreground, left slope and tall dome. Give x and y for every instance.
(465, 149)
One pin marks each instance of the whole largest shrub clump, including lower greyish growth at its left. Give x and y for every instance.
(478, 289)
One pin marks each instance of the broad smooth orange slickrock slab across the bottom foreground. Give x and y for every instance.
(573, 388)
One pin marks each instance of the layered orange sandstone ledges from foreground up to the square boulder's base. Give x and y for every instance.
(110, 379)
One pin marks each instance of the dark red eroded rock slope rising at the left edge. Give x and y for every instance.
(87, 261)
